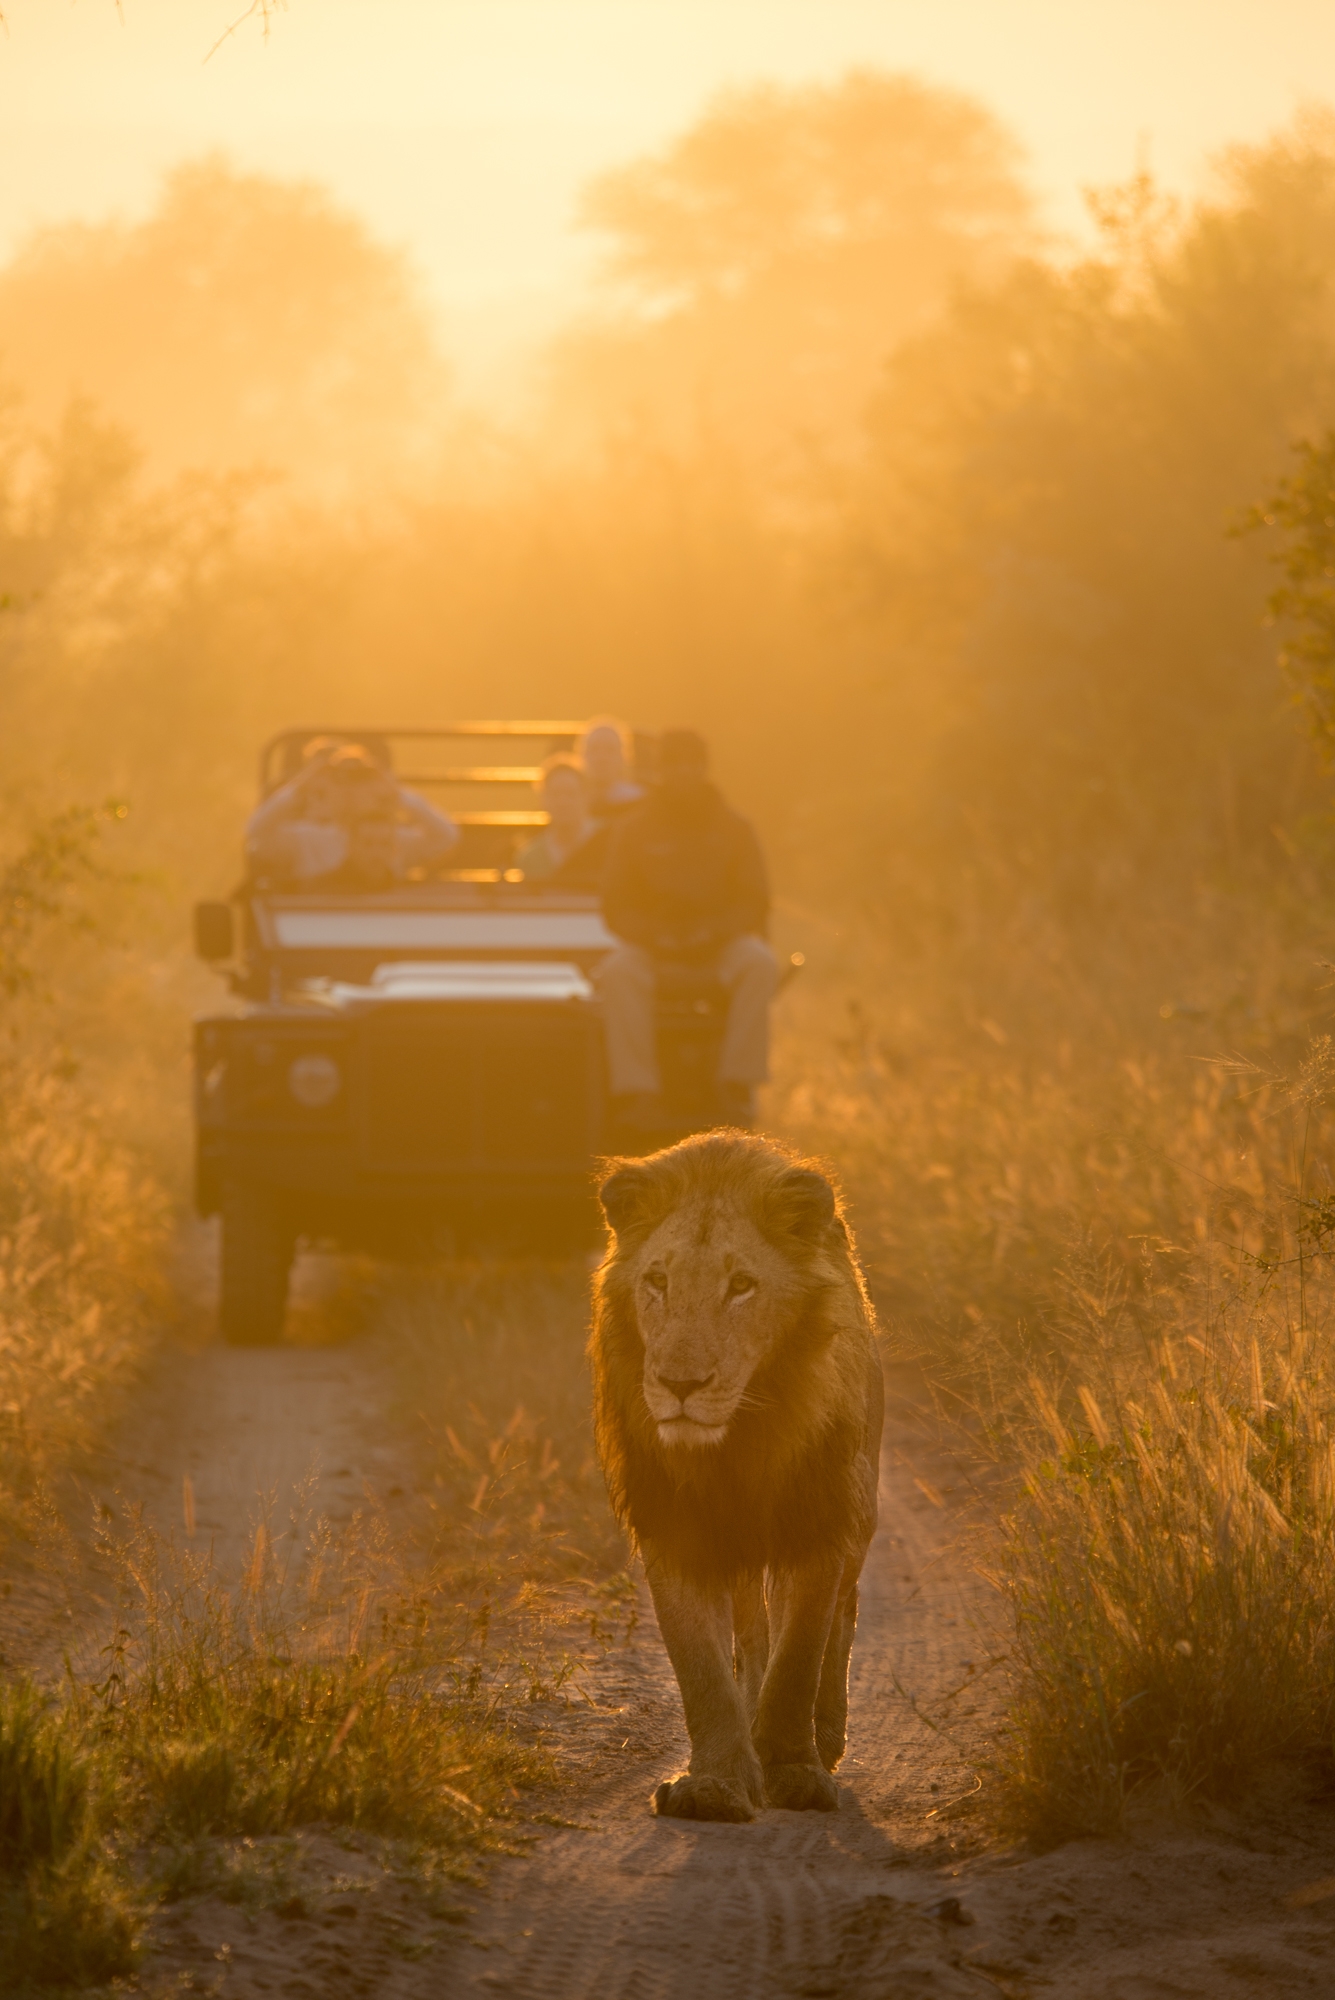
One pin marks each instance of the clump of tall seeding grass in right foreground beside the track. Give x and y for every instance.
(1166, 1567)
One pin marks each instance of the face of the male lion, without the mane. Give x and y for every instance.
(712, 1297)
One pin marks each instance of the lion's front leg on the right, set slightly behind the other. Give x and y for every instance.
(802, 1607)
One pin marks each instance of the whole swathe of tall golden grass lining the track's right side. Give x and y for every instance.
(1096, 1197)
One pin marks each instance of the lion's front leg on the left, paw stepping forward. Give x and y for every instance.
(722, 1781)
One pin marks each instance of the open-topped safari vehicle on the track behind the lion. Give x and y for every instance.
(423, 1067)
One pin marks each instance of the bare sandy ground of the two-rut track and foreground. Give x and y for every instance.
(894, 1897)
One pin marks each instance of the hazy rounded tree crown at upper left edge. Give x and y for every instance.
(245, 321)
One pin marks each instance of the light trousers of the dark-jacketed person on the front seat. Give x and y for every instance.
(750, 973)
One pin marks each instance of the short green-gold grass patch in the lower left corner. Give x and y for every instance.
(327, 1685)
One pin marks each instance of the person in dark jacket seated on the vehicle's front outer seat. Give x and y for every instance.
(686, 883)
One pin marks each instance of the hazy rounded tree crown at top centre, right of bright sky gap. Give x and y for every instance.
(764, 265)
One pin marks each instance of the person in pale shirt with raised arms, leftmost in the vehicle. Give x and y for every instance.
(303, 831)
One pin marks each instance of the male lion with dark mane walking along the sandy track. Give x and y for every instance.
(738, 1403)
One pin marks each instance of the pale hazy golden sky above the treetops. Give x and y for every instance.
(465, 127)
